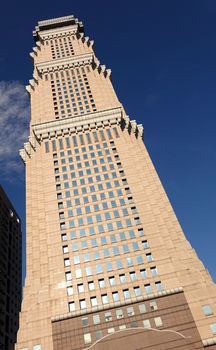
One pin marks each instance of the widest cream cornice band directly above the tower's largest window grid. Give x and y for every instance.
(75, 124)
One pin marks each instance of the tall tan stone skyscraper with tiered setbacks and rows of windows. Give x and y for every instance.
(108, 265)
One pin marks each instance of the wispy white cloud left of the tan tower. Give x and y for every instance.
(14, 118)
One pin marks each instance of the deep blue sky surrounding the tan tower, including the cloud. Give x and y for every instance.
(163, 60)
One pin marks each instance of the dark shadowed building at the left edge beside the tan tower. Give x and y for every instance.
(10, 272)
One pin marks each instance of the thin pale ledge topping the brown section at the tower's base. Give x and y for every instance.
(117, 304)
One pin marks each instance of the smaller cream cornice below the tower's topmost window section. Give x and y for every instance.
(66, 62)
